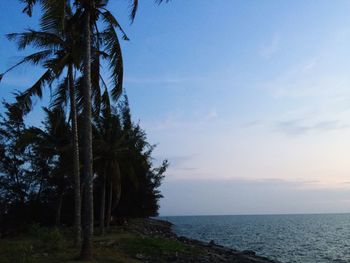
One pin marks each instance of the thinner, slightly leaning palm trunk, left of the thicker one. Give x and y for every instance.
(76, 162)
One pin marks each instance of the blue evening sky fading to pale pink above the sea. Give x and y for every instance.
(248, 100)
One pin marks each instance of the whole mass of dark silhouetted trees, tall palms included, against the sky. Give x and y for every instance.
(88, 163)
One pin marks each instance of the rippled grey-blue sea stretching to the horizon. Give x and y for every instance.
(286, 238)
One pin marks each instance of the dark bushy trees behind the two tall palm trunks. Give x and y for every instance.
(37, 182)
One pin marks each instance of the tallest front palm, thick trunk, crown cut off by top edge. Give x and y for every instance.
(91, 11)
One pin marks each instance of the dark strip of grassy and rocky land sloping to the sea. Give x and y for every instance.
(138, 240)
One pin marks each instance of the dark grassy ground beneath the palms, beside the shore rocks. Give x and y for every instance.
(43, 245)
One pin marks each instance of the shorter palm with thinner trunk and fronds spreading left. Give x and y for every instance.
(60, 51)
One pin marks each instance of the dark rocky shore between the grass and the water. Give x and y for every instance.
(196, 251)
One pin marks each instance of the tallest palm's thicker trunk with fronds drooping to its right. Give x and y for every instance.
(93, 10)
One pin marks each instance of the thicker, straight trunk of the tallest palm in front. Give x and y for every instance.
(86, 250)
